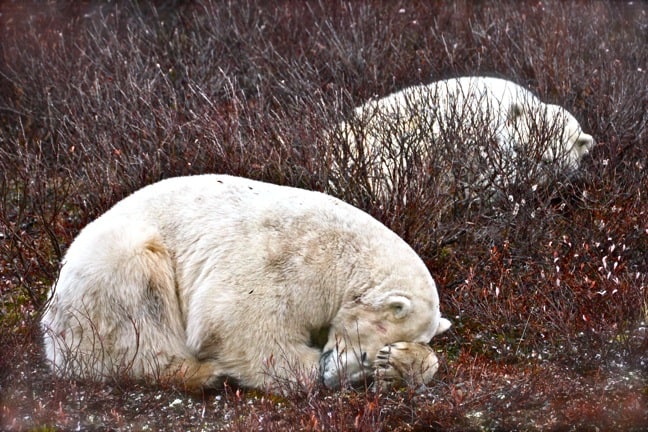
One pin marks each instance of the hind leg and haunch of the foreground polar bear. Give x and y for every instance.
(114, 310)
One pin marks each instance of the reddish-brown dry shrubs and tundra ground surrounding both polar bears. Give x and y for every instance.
(547, 291)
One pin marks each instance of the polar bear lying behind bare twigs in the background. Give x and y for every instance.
(480, 134)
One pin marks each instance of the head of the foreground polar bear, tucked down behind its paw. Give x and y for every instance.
(398, 302)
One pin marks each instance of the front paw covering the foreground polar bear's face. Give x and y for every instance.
(405, 363)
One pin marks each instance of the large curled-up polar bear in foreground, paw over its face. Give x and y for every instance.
(207, 277)
